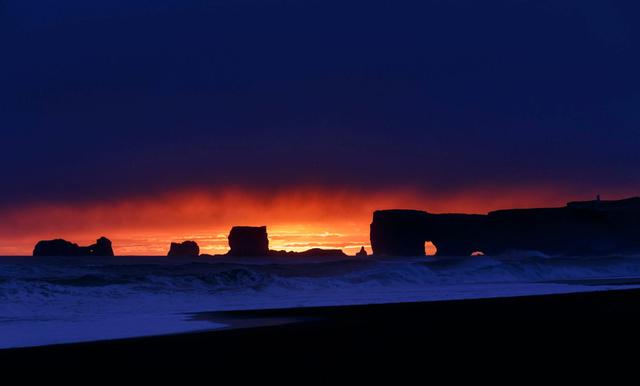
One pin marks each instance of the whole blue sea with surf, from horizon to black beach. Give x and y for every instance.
(57, 300)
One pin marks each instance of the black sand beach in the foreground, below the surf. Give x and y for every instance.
(579, 325)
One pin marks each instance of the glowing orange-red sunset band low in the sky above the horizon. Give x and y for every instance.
(296, 219)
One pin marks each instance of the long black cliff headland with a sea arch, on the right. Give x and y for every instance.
(579, 228)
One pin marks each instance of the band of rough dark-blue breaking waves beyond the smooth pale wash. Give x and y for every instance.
(225, 276)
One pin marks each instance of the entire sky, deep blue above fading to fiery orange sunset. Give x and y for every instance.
(152, 121)
